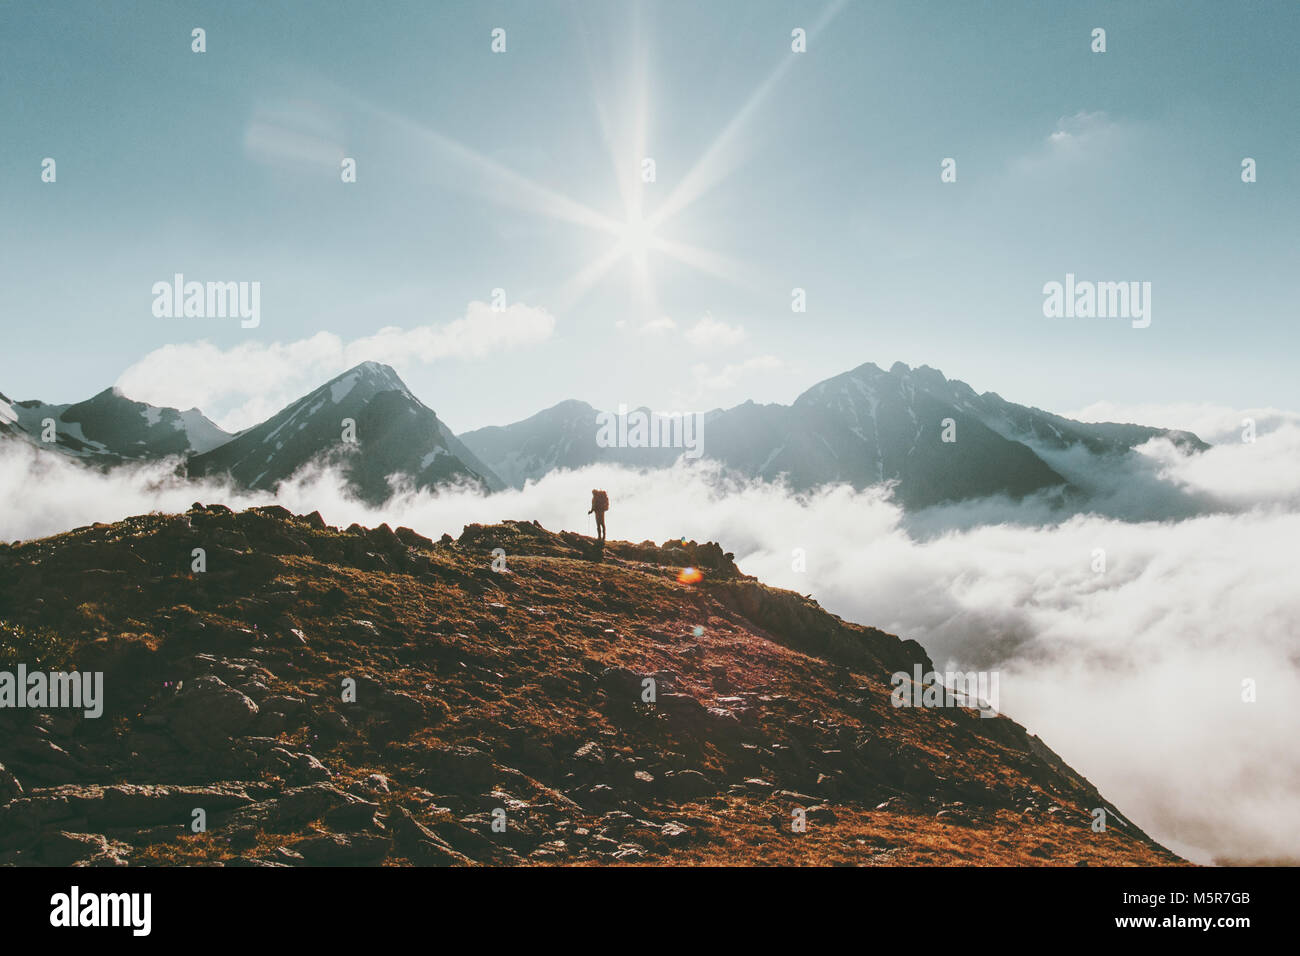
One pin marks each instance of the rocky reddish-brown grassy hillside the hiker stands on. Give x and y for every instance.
(489, 697)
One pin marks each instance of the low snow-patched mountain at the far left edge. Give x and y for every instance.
(111, 429)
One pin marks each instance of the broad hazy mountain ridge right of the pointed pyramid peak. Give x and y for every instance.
(863, 427)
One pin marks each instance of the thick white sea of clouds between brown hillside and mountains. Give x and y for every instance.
(1133, 674)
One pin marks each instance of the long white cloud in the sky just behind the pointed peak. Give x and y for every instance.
(242, 386)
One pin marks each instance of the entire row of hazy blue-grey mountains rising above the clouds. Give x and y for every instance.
(935, 439)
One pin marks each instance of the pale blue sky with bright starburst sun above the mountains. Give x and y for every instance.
(523, 172)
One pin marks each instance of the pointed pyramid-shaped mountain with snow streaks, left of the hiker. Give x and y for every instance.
(367, 422)
